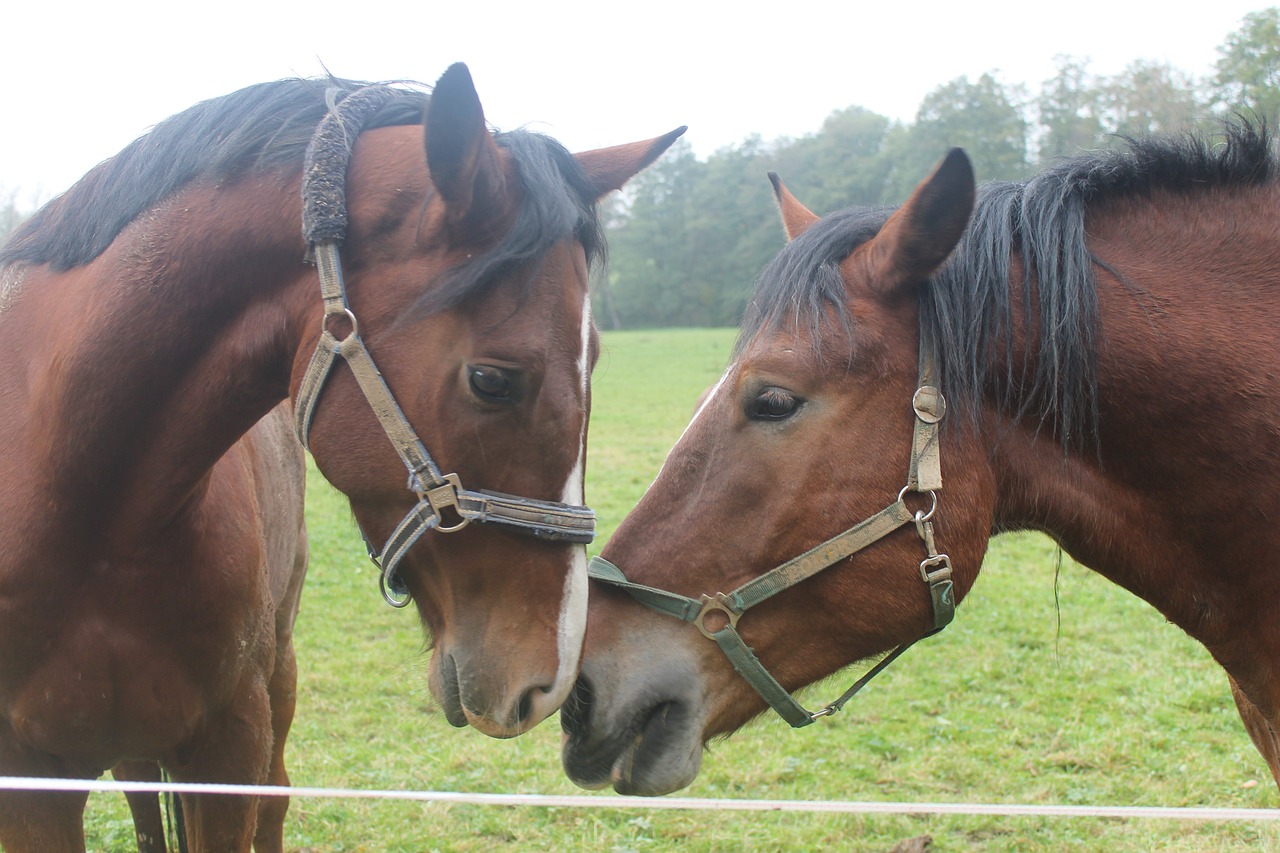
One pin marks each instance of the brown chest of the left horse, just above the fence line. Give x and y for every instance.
(94, 678)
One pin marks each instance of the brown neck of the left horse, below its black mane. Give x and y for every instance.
(149, 363)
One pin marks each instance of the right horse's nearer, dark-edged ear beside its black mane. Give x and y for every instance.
(921, 235)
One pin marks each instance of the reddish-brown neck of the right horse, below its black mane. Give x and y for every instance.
(1177, 439)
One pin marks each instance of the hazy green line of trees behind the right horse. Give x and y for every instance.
(689, 236)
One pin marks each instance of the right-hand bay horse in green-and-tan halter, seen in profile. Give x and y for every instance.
(1087, 354)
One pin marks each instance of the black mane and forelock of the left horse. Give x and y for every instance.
(267, 127)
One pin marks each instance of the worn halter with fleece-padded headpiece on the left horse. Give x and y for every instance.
(444, 505)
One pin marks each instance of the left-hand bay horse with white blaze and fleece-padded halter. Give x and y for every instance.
(168, 341)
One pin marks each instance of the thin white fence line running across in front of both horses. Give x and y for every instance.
(588, 801)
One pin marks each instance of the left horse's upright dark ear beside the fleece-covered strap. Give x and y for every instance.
(461, 156)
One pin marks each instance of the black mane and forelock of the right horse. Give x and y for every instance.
(967, 309)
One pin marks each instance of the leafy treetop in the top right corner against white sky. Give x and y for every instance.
(1249, 66)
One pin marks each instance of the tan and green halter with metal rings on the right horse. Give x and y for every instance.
(925, 477)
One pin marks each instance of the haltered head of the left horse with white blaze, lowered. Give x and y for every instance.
(467, 268)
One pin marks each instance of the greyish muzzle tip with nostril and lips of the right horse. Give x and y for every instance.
(659, 752)
